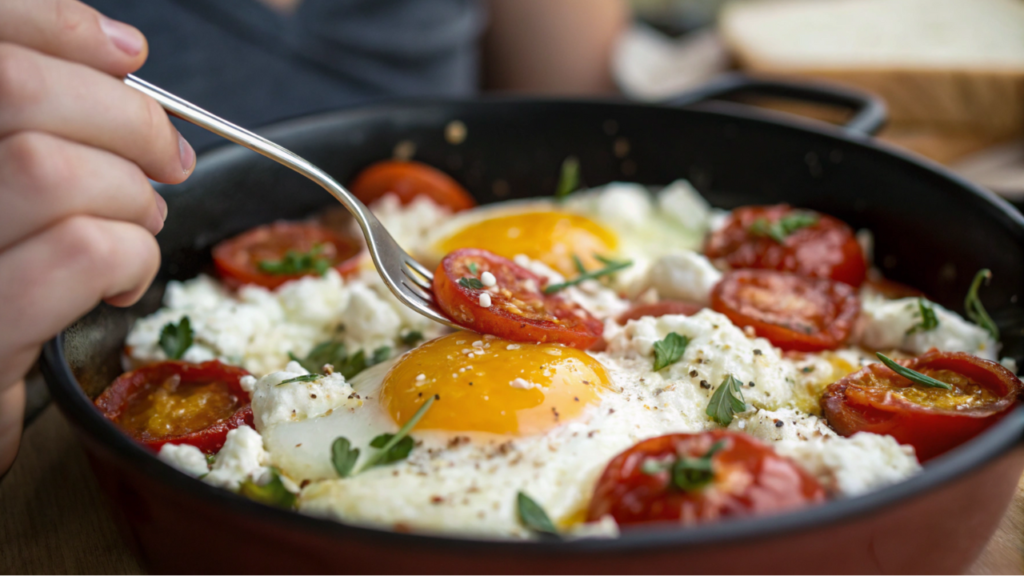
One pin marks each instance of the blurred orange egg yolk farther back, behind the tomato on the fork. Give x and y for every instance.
(552, 238)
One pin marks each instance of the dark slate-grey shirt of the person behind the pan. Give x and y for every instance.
(253, 66)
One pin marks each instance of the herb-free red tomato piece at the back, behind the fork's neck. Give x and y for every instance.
(409, 180)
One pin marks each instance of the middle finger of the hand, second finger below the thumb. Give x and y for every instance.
(45, 180)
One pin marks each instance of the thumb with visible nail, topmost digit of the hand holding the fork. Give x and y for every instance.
(70, 30)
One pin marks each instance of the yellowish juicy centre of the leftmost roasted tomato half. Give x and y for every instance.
(172, 409)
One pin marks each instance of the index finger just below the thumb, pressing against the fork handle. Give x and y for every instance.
(44, 94)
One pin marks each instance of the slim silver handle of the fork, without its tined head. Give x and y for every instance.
(188, 111)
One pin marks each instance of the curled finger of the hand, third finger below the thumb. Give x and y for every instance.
(52, 279)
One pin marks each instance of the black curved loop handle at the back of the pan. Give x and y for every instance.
(869, 111)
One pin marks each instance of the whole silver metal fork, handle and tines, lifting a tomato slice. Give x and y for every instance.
(409, 280)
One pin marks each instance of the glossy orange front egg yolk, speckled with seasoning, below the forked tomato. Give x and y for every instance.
(489, 385)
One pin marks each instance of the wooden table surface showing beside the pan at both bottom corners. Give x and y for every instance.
(54, 519)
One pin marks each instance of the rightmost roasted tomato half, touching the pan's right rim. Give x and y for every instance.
(931, 420)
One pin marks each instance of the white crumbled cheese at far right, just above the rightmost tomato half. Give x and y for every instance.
(886, 323)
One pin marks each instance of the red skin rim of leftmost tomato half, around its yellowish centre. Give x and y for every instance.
(117, 398)
